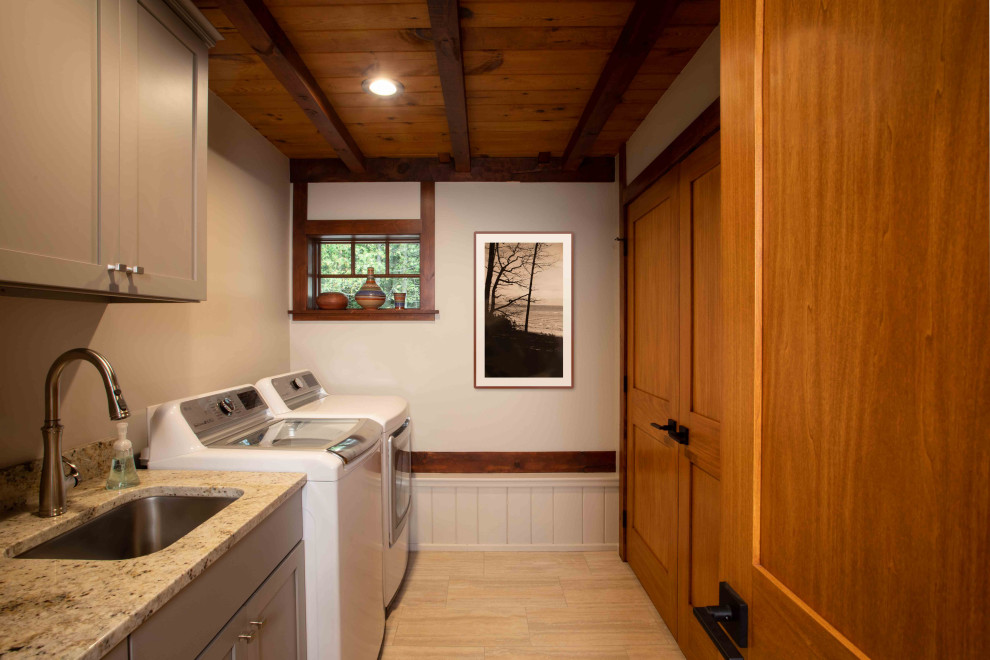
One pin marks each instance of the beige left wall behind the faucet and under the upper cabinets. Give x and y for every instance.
(165, 350)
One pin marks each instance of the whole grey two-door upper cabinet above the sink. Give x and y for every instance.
(103, 152)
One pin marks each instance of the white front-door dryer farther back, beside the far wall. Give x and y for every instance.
(300, 394)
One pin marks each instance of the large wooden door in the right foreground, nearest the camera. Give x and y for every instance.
(856, 247)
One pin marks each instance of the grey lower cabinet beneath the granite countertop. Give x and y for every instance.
(250, 604)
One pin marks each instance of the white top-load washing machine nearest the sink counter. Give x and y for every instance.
(342, 500)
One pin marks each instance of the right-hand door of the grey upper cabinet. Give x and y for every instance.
(163, 157)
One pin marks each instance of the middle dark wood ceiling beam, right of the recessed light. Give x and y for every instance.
(445, 28)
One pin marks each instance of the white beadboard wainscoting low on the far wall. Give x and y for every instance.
(515, 512)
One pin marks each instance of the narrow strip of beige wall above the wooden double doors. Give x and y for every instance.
(692, 91)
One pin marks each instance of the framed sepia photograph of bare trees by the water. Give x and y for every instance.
(523, 319)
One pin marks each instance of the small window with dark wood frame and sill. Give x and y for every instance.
(334, 255)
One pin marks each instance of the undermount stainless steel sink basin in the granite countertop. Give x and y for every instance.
(134, 529)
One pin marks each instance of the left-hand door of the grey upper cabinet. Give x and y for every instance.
(50, 172)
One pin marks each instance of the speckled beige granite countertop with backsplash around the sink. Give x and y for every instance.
(63, 608)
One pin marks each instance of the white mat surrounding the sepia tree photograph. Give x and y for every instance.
(480, 261)
